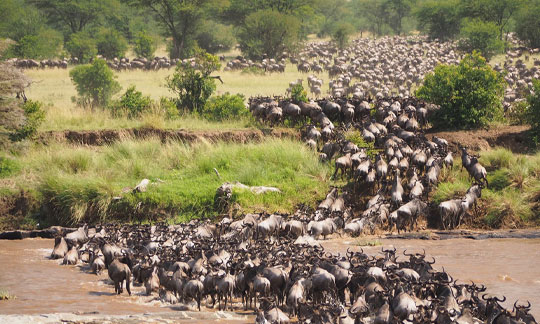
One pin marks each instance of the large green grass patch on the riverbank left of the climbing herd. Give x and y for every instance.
(80, 183)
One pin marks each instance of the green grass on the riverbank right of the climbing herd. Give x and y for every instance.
(513, 196)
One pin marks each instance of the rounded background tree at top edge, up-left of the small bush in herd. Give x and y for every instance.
(440, 19)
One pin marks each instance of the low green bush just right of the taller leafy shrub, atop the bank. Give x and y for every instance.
(224, 107)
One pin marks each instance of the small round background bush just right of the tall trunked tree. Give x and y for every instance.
(214, 37)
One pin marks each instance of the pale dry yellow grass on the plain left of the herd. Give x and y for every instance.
(55, 89)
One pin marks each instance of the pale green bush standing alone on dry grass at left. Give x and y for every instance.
(95, 83)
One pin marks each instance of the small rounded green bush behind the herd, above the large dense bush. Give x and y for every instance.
(481, 36)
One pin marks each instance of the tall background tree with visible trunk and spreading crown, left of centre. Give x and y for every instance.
(180, 19)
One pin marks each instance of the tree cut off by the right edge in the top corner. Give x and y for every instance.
(528, 24)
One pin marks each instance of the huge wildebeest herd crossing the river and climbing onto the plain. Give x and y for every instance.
(372, 132)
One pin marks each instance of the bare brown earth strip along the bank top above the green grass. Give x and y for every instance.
(102, 137)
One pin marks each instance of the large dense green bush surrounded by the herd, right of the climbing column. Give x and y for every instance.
(469, 94)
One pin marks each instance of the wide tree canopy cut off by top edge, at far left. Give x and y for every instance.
(74, 14)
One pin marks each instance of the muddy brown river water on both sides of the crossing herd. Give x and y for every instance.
(509, 267)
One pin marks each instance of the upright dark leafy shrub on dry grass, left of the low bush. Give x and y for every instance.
(194, 84)
